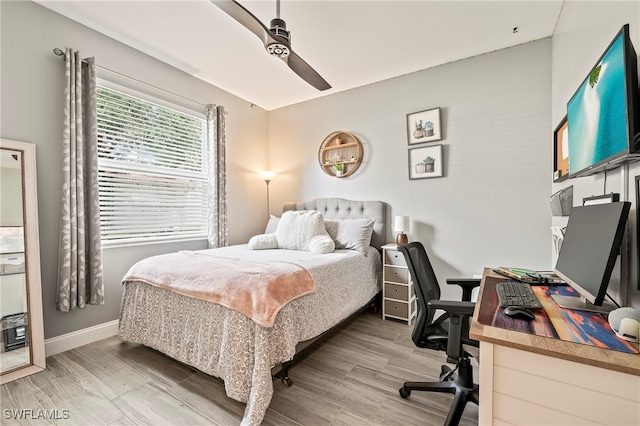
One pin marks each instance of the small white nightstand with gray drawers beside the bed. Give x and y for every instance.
(398, 298)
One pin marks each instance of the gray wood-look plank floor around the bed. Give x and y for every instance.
(352, 379)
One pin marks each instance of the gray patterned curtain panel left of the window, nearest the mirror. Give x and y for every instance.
(80, 278)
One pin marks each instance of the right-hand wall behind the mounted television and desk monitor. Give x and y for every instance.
(584, 31)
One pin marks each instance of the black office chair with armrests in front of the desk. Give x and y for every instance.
(448, 333)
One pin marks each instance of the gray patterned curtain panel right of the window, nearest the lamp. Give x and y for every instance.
(217, 176)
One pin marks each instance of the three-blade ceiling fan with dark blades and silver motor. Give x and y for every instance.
(277, 40)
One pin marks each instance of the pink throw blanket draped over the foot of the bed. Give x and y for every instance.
(257, 289)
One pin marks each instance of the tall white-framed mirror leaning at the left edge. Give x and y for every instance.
(22, 336)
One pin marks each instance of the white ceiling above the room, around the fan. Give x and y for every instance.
(350, 43)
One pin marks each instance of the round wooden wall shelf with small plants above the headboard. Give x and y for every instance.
(340, 154)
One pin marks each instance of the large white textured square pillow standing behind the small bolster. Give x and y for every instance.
(296, 229)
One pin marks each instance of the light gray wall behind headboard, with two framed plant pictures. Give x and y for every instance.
(497, 126)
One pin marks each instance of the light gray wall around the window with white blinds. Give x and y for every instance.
(32, 98)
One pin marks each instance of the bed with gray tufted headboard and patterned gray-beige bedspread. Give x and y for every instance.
(208, 334)
